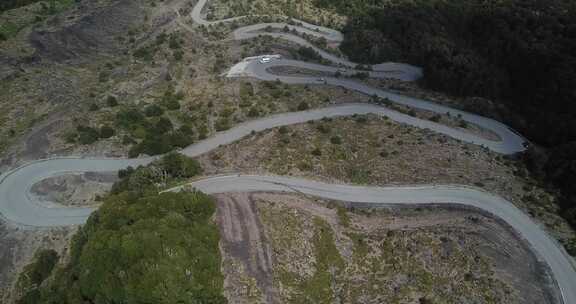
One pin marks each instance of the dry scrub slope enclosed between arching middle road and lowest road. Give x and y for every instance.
(366, 149)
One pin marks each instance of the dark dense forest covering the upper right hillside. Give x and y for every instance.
(522, 54)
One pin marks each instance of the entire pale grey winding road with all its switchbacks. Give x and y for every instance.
(19, 206)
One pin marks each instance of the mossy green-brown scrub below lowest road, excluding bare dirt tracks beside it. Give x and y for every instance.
(382, 265)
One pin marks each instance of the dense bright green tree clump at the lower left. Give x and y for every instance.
(141, 246)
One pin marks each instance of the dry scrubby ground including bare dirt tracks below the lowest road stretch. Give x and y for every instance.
(286, 248)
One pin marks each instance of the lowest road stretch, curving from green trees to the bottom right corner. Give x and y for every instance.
(546, 247)
